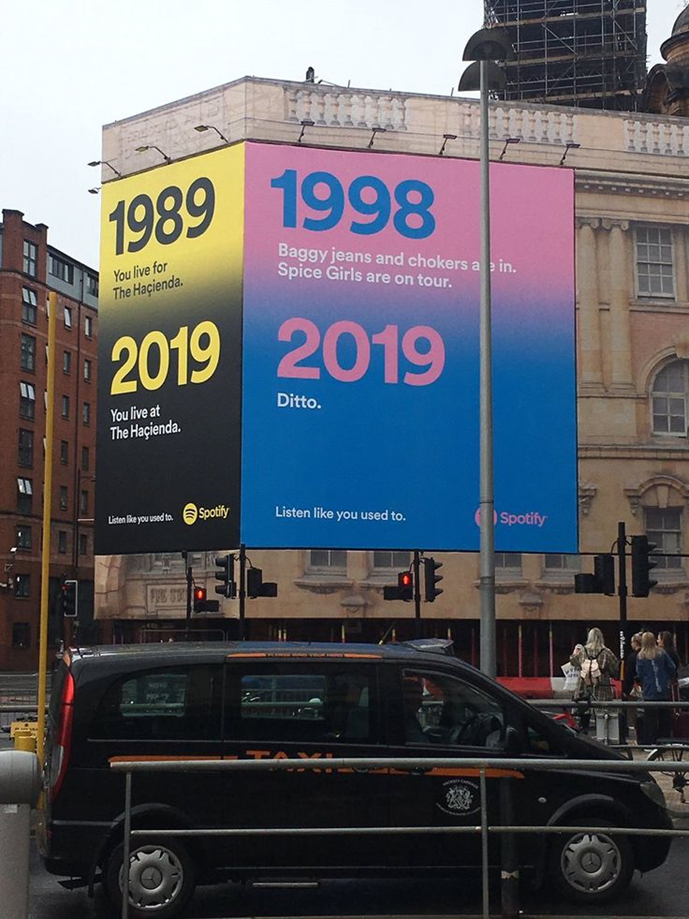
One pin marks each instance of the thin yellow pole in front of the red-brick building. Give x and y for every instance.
(47, 514)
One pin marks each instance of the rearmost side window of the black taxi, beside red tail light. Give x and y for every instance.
(165, 704)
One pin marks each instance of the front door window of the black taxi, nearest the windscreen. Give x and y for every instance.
(441, 709)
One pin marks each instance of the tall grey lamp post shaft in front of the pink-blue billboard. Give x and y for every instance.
(487, 502)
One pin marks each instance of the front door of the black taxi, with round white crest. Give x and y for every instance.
(440, 714)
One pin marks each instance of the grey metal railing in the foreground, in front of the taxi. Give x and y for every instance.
(480, 765)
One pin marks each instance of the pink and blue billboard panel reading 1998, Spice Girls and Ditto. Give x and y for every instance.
(360, 402)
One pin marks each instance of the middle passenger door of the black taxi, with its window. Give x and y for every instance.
(303, 709)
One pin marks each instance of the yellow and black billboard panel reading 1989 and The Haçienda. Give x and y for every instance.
(169, 369)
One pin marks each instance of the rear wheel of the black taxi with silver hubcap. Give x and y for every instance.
(161, 878)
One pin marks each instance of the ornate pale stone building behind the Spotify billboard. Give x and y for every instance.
(632, 256)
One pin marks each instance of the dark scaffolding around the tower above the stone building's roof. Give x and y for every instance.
(588, 53)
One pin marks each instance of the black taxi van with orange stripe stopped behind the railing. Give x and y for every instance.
(262, 701)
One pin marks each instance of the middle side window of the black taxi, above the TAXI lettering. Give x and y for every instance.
(291, 704)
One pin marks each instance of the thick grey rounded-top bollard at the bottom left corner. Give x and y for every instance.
(20, 786)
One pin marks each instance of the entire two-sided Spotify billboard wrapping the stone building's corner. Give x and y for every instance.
(356, 424)
